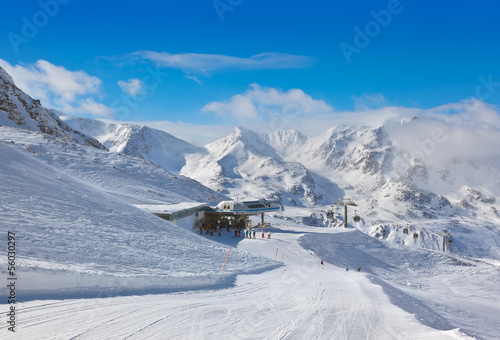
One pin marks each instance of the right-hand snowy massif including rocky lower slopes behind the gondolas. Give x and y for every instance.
(403, 196)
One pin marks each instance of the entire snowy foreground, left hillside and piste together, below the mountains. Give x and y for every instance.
(92, 266)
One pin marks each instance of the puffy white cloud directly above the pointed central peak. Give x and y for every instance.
(268, 103)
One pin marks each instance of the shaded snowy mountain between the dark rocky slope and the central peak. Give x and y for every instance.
(134, 140)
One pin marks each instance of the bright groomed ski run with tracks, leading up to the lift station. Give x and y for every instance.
(299, 300)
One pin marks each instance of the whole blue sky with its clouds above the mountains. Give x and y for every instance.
(229, 61)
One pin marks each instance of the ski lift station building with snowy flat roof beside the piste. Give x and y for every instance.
(192, 215)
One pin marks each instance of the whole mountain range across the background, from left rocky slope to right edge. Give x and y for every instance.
(367, 164)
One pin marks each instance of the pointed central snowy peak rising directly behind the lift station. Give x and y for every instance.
(243, 164)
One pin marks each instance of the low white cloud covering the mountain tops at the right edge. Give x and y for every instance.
(470, 132)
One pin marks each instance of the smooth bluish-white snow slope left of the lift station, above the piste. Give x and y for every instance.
(70, 207)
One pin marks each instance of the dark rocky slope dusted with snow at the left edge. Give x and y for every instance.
(19, 110)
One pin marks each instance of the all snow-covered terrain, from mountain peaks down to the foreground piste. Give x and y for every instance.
(90, 264)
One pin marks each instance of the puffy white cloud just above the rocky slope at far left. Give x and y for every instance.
(59, 88)
